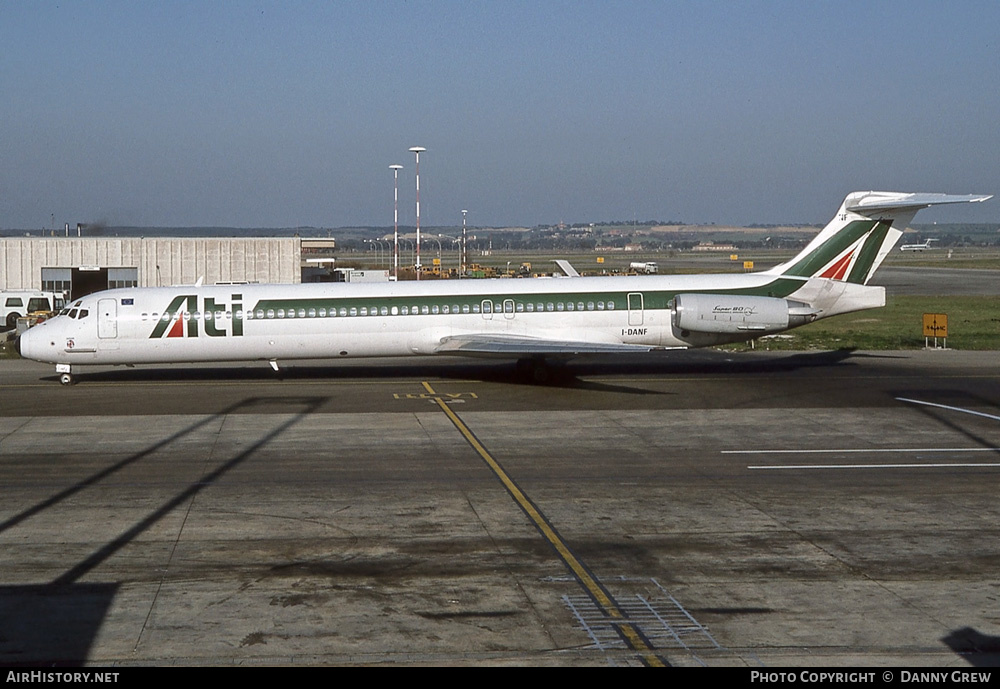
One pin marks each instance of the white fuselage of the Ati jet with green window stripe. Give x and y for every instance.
(333, 320)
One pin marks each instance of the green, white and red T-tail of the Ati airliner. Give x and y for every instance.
(854, 244)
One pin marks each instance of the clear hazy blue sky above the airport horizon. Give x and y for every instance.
(280, 114)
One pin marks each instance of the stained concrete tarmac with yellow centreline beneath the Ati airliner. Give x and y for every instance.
(700, 508)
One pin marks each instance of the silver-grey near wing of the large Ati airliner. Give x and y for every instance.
(513, 346)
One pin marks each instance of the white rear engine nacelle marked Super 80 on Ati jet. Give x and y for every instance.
(727, 313)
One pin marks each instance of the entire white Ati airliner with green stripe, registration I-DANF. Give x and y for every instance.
(530, 320)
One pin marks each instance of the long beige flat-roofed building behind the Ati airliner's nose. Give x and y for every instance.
(82, 265)
